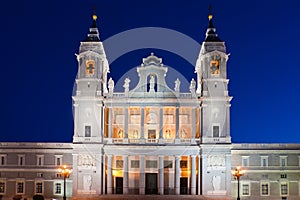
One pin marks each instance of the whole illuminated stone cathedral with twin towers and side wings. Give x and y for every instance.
(151, 138)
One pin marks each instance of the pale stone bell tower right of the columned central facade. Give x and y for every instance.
(212, 89)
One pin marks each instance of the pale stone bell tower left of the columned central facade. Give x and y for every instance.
(88, 113)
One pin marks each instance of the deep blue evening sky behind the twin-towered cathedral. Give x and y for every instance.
(39, 40)
